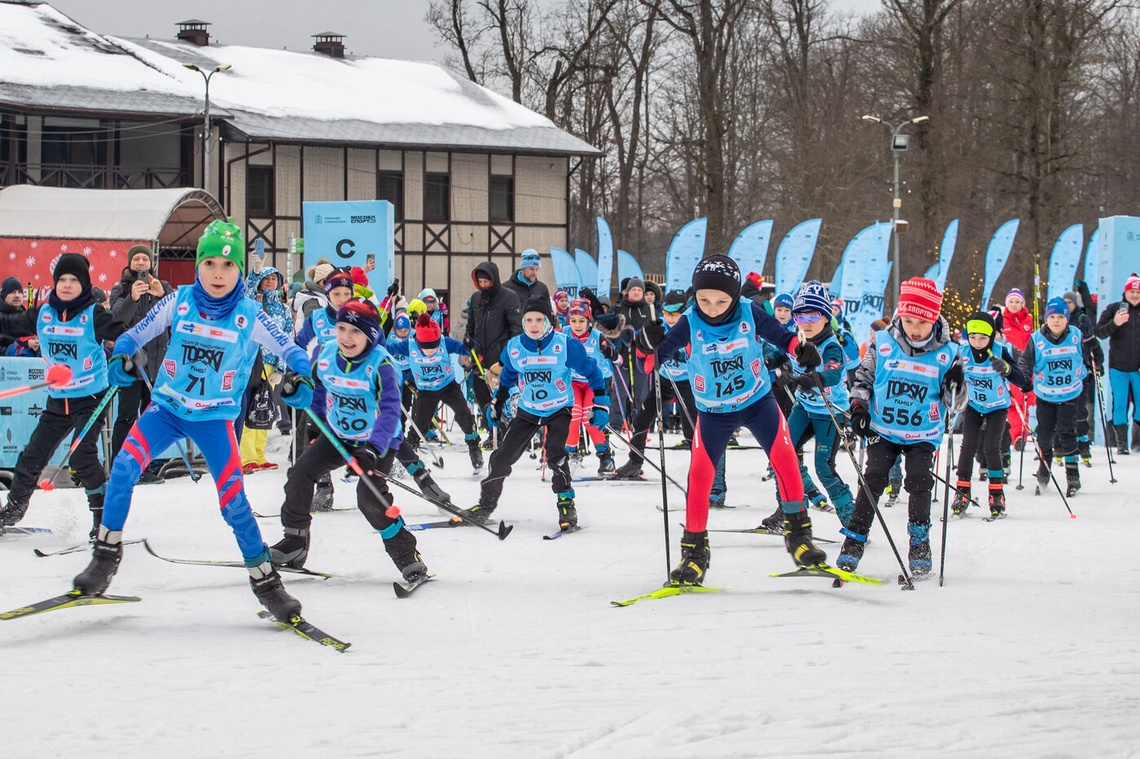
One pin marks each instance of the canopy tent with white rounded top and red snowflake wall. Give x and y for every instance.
(39, 224)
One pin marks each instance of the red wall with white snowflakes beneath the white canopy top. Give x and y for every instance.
(32, 260)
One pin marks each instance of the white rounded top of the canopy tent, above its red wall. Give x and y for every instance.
(168, 216)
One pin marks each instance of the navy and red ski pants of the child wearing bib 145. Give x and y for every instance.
(764, 420)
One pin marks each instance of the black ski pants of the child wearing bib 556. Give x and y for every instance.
(918, 484)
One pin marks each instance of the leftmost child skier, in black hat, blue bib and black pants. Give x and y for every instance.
(71, 330)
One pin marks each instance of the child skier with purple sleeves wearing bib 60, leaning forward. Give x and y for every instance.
(359, 395)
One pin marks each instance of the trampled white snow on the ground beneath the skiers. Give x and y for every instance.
(1030, 650)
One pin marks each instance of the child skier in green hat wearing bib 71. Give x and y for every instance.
(216, 333)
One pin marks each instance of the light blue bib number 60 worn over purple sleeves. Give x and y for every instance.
(353, 394)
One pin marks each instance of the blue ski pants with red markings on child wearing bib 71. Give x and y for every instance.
(156, 431)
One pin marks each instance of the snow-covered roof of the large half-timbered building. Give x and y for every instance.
(50, 61)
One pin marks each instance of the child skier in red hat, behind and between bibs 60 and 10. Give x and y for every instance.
(429, 360)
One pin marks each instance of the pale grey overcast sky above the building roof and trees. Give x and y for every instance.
(393, 29)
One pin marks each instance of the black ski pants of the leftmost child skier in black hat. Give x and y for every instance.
(62, 417)
